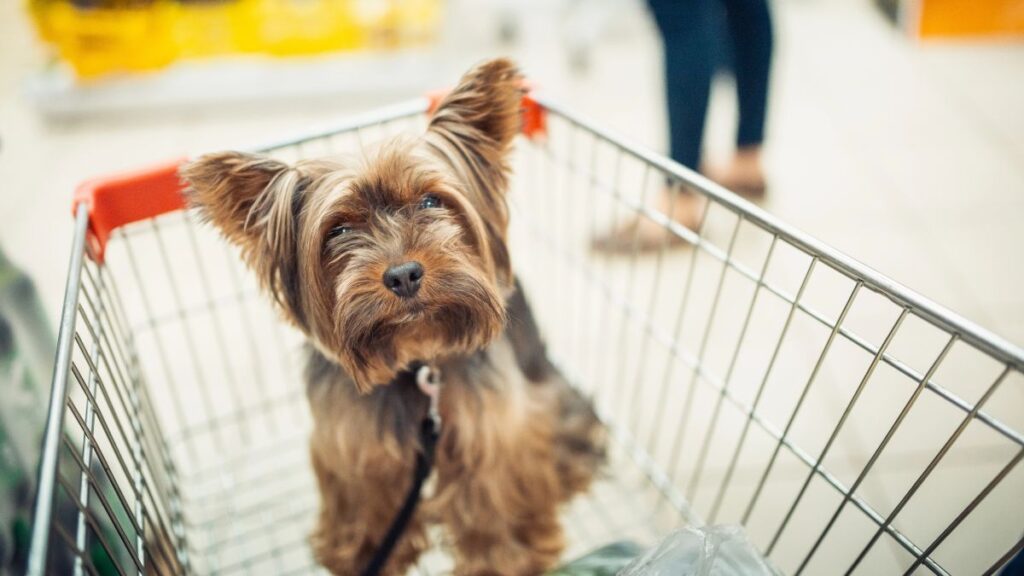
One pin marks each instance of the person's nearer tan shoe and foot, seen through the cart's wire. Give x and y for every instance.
(643, 235)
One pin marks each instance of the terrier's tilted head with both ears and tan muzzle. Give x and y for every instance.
(402, 259)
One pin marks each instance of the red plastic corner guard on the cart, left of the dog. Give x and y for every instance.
(129, 197)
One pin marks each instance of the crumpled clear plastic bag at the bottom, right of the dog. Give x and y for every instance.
(713, 551)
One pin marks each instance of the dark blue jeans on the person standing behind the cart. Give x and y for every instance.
(695, 47)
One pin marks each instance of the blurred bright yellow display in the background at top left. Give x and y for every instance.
(103, 37)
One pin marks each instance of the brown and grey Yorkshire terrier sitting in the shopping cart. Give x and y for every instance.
(400, 262)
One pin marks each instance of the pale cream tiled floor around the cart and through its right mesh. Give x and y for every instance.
(909, 157)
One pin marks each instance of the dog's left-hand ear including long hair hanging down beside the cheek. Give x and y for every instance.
(255, 201)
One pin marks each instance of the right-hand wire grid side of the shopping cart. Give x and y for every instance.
(760, 381)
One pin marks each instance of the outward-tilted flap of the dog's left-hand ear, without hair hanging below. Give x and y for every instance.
(231, 190)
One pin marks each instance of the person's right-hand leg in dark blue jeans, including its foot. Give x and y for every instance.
(751, 31)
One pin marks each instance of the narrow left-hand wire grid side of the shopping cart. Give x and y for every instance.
(117, 510)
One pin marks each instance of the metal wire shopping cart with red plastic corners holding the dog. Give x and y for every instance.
(756, 377)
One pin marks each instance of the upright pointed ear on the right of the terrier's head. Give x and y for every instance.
(473, 131)
